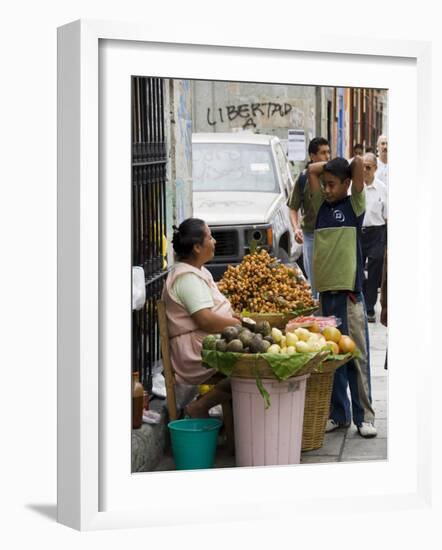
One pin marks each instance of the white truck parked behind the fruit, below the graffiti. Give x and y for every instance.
(241, 182)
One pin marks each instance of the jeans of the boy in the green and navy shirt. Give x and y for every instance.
(350, 309)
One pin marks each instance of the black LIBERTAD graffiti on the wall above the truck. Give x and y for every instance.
(247, 113)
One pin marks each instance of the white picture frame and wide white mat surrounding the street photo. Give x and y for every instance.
(97, 488)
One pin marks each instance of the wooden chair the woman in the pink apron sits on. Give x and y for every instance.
(169, 376)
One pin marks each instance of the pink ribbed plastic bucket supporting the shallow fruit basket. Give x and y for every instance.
(265, 437)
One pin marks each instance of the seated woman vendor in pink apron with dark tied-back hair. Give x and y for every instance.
(195, 308)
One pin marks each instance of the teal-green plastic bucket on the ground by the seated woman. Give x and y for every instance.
(194, 442)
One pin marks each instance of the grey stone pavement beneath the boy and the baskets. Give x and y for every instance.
(341, 445)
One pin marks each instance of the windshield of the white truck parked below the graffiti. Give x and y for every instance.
(233, 167)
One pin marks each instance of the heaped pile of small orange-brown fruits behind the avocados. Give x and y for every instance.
(263, 288)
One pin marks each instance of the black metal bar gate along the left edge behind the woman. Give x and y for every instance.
(148, 217)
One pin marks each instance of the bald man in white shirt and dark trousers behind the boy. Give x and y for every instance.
(374, 232)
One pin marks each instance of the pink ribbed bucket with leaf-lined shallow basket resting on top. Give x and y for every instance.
(267, 431)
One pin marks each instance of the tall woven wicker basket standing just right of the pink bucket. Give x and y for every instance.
(317, 404)
